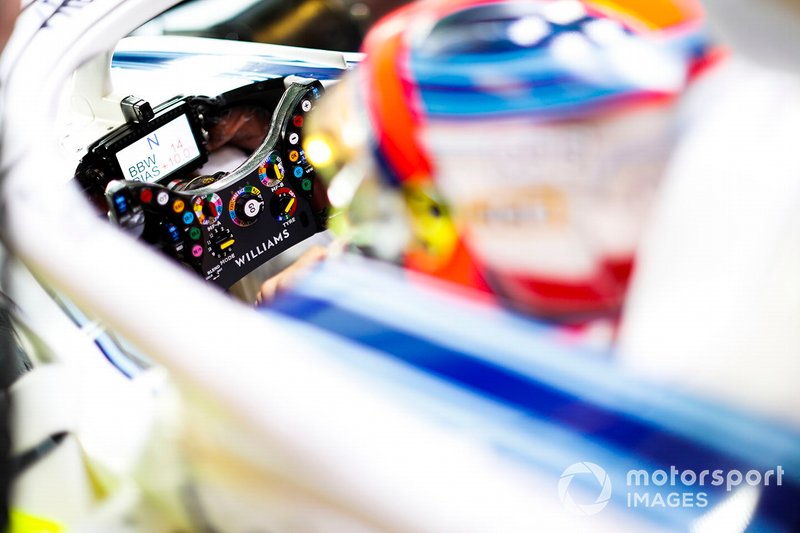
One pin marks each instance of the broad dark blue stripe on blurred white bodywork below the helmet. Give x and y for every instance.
(636, 442)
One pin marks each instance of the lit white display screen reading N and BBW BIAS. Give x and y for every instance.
(160, 153)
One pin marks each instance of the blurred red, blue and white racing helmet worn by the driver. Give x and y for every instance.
(522, 140)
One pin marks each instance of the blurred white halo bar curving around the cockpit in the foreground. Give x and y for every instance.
(292, 414)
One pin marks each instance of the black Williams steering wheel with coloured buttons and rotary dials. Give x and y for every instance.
(225, 225)
